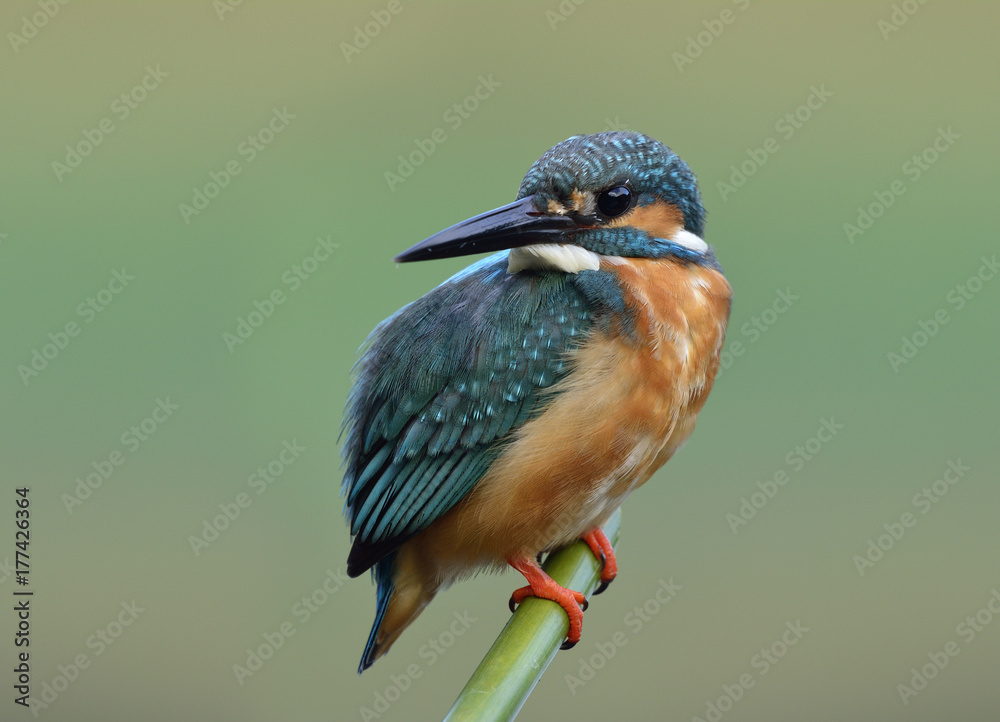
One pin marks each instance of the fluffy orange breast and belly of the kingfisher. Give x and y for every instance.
(628, 405)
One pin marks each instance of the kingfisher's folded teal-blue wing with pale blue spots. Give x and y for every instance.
(439, 386)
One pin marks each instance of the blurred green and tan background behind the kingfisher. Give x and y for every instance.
(717, 82)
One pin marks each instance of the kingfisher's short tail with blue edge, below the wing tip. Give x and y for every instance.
(400, 597)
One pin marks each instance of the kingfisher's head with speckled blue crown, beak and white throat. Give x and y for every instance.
(609, 194)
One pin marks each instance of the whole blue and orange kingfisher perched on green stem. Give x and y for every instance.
(511, 410)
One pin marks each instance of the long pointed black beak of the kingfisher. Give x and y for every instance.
(517, 224)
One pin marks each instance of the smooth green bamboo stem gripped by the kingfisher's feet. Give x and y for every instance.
(526, 646)
